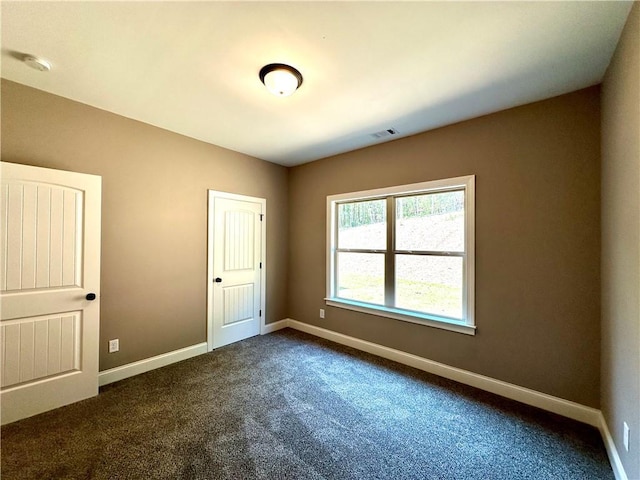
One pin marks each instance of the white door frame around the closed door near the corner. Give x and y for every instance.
(212, 195)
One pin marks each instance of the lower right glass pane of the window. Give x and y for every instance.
(429, 284)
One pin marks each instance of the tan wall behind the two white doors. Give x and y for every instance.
(154, 230)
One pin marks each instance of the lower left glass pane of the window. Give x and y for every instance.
(361, 277)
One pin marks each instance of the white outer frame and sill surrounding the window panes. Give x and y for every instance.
(466, 183)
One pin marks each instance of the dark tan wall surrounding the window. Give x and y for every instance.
(537, 173)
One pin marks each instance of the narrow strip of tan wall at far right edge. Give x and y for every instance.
(621, 243)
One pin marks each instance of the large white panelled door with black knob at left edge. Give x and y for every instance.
(49, 288)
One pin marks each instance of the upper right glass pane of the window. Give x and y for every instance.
(434, 221)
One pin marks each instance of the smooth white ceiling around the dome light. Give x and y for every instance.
(192, 67)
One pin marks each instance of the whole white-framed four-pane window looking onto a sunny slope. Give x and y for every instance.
(405, 252)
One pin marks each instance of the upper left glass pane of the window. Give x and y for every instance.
(363, 225)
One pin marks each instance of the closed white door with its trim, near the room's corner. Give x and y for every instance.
(236, 273)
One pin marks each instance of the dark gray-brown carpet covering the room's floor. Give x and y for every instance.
(290, 406)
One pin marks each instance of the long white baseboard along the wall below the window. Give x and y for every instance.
(566, 408)
